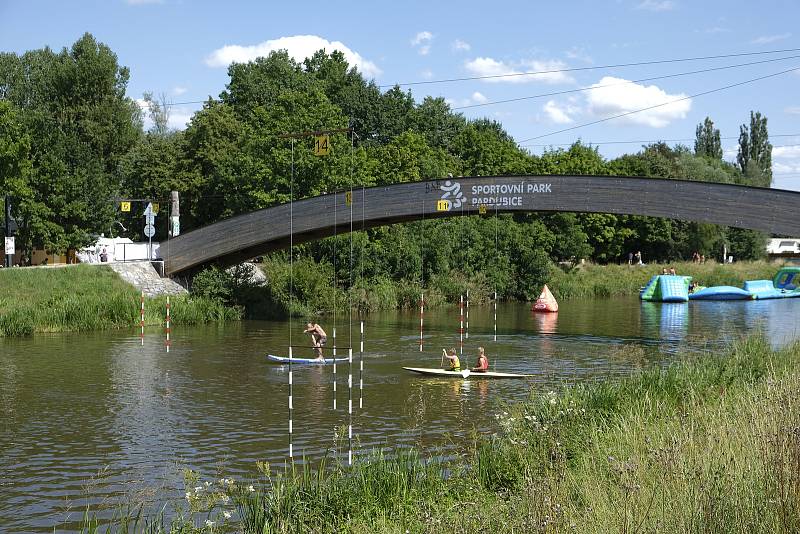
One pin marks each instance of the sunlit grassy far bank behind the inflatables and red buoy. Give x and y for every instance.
(609, 280)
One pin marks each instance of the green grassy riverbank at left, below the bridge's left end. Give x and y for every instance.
(87, 297)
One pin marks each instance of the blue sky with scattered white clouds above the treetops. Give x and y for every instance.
(181, 48)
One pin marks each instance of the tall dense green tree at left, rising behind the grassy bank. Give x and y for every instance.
(80, 122)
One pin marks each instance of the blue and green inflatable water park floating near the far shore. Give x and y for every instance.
(676, 288)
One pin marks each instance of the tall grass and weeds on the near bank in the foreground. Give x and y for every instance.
(709, 444)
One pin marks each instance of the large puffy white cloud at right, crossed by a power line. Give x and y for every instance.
(625, 97)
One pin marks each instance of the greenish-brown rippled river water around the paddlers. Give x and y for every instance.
(88, 418)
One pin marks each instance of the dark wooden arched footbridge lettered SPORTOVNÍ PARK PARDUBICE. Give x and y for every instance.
(249, 235)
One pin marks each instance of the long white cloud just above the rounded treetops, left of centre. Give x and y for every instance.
(299, 48)
